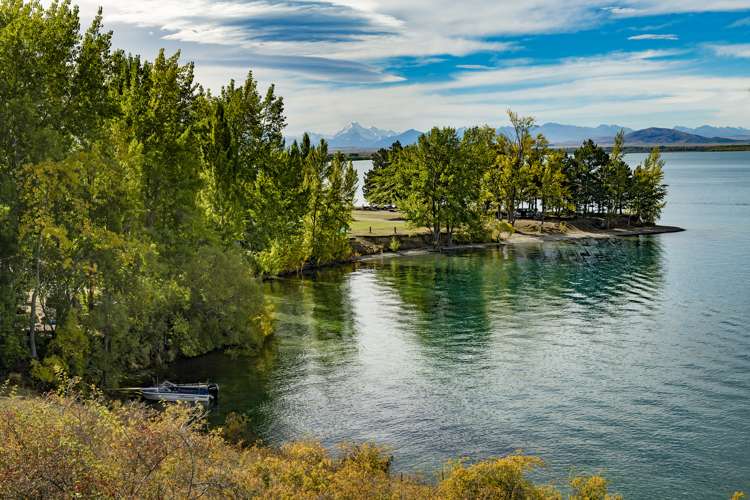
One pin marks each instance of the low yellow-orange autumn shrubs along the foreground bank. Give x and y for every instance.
(66, 445)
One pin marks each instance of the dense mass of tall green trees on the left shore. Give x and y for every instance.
(137, 209)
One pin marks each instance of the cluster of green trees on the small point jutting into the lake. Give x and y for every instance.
(462, 186)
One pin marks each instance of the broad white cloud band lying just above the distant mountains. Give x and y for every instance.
(635, 90)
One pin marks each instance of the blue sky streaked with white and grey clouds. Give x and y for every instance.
(402, 64)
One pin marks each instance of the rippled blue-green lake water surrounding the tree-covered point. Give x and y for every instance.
(629, 357)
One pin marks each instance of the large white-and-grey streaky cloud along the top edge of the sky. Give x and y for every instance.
(383, 28)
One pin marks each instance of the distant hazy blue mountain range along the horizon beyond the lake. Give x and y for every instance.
(355, 136)
